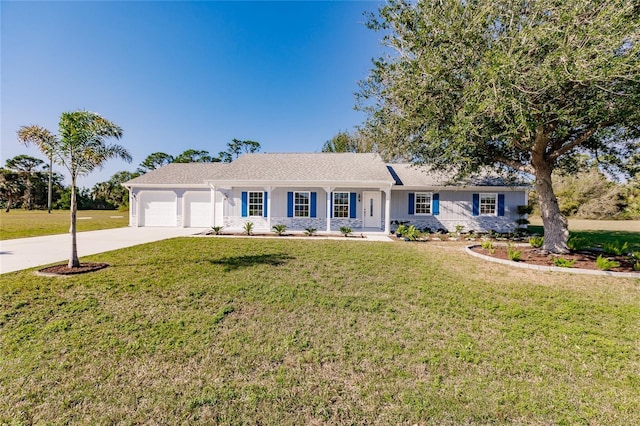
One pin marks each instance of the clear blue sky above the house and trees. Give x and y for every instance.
(180, 75)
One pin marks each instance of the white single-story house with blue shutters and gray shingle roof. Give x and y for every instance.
(318, 190)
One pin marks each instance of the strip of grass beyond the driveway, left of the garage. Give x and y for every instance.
(35, 223)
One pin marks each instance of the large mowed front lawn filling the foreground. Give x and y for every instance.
(289, 332)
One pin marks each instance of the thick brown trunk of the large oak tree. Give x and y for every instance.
(556, 229)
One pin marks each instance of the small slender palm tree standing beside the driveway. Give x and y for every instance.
(81, 147)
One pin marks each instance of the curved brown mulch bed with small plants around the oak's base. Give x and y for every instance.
(584, 259)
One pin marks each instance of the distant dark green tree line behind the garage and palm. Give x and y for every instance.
(24, 180)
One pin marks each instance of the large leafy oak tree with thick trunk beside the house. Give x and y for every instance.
(518, 85)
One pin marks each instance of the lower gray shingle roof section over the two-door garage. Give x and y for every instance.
(180, 174)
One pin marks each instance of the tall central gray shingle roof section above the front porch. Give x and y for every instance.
(310, 167)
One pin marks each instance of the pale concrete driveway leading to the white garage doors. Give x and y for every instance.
(24, 253)
